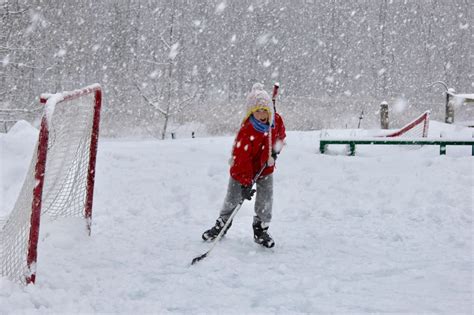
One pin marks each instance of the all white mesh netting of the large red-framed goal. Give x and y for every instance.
(65, 181)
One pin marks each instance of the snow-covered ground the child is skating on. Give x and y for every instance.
(387, 231)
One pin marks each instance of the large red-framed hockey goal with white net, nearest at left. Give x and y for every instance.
(60, 178)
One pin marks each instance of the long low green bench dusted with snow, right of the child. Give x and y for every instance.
(323, 143)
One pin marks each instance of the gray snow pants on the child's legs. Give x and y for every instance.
(263, 199)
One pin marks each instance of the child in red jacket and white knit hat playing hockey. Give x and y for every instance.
(258, 143)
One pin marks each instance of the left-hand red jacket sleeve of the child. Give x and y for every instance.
(242, 168)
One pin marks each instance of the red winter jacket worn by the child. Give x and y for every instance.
(250, 151)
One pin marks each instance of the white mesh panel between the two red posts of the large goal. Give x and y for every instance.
(65, 182)
